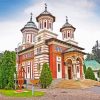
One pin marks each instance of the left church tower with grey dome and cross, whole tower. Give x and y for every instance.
(29, 32)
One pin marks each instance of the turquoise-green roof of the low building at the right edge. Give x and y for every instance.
(93, 64)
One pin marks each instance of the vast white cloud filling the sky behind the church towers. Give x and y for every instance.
(80, 14)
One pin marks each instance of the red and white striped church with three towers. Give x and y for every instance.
(41, 45)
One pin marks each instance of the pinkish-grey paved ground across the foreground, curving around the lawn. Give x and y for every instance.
(62, 94)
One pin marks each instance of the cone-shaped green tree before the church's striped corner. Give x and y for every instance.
(45, 77)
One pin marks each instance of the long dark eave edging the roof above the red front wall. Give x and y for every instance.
(57, 40)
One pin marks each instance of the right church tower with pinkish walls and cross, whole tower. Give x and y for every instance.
(67, 31)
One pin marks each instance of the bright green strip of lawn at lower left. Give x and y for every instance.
(12, 93)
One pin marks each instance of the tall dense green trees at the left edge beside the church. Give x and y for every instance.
(7, 69)
